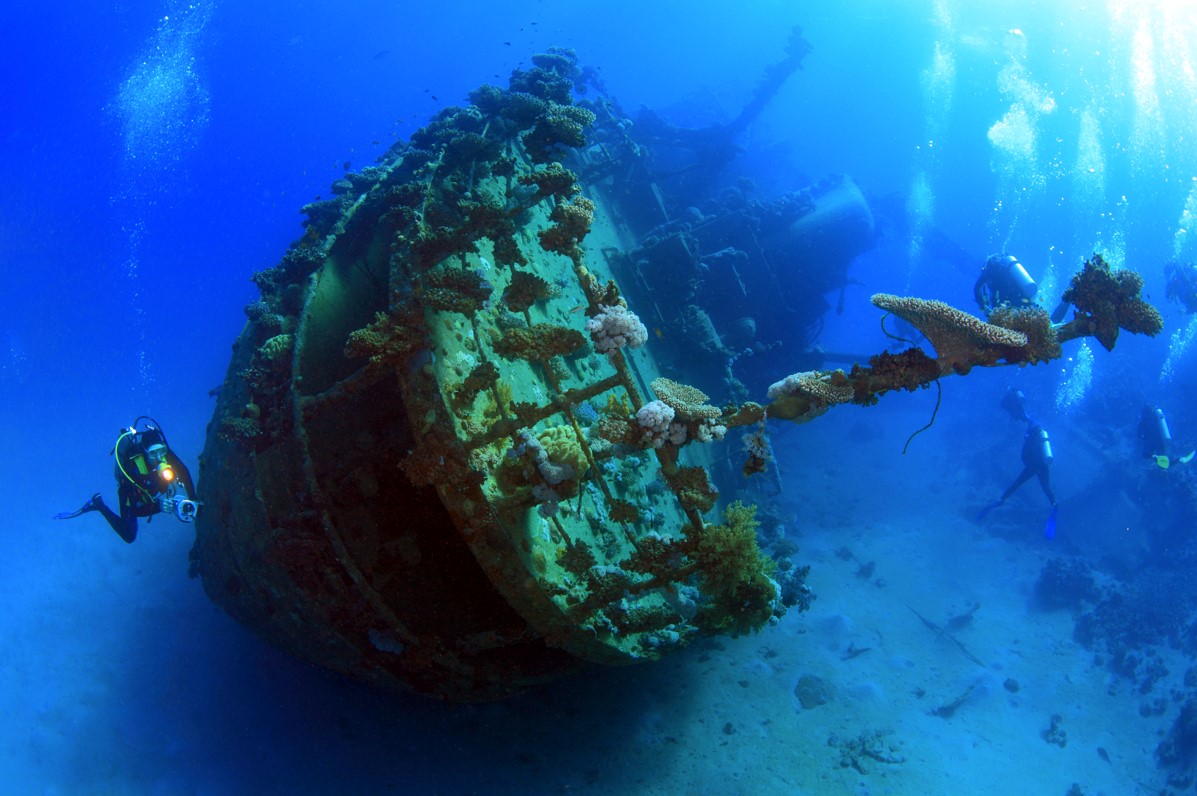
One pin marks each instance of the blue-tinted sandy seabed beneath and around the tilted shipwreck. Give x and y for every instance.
(120, 678)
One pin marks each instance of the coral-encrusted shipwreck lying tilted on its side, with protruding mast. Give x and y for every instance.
(447, 455)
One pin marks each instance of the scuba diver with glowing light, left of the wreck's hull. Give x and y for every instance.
(150, 479)
